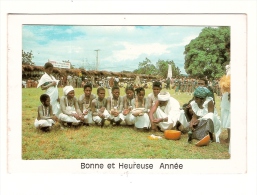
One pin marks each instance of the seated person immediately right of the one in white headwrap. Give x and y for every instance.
(84, 102)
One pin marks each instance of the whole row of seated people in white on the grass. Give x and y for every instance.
(156, 111)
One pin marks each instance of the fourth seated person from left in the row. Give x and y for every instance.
(98, 107)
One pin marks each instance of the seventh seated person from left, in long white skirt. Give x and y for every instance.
(142, 120)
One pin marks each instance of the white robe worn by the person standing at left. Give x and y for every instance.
(52, 92)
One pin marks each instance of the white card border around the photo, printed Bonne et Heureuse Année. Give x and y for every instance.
(236, 164)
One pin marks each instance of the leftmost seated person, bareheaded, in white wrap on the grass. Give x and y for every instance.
(45, 118)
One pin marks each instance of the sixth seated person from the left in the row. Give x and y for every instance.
(127, 106)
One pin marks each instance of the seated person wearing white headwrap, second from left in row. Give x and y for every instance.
(70, 112)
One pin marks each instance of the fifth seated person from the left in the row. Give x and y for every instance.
(115, 106)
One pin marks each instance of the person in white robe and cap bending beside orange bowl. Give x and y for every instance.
(165, 112)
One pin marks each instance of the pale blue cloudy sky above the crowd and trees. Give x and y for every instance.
(119, 47)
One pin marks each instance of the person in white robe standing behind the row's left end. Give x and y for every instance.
(49, 83)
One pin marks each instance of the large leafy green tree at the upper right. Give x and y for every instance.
(209, 53)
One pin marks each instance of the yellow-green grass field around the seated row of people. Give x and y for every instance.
(109, 142)
